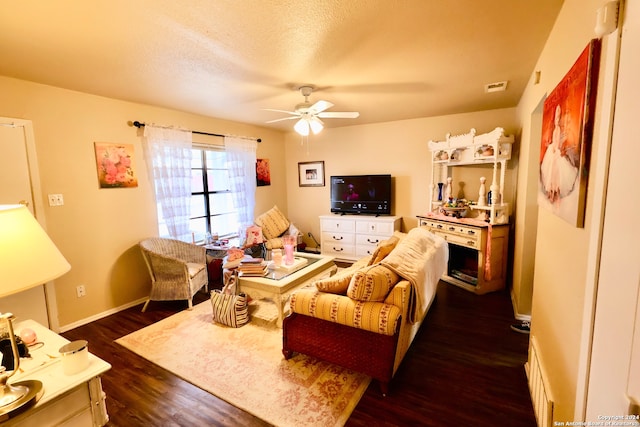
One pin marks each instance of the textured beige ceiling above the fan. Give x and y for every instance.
(231, 59)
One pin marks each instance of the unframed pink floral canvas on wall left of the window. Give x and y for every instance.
(115, 165)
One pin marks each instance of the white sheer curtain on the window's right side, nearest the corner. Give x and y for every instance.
(241, 158)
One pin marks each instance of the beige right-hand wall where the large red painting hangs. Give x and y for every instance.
(566, 256)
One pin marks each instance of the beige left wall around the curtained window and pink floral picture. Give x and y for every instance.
(97, 229)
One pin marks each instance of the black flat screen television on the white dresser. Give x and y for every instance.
(361, 194)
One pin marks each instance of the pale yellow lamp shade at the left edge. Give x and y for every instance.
(28, 257)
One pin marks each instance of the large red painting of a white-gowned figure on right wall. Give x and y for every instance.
(567, 130)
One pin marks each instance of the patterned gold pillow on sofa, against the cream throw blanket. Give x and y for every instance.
(372, 283)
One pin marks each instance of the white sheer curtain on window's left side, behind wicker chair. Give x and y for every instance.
(168, 154)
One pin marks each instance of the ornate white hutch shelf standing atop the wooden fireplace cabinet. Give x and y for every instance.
(470, 149)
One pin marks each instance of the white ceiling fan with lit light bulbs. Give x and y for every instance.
(309, 115)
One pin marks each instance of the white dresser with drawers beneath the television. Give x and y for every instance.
(353, 237)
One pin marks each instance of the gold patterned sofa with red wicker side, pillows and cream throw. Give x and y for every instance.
(365, 317)
